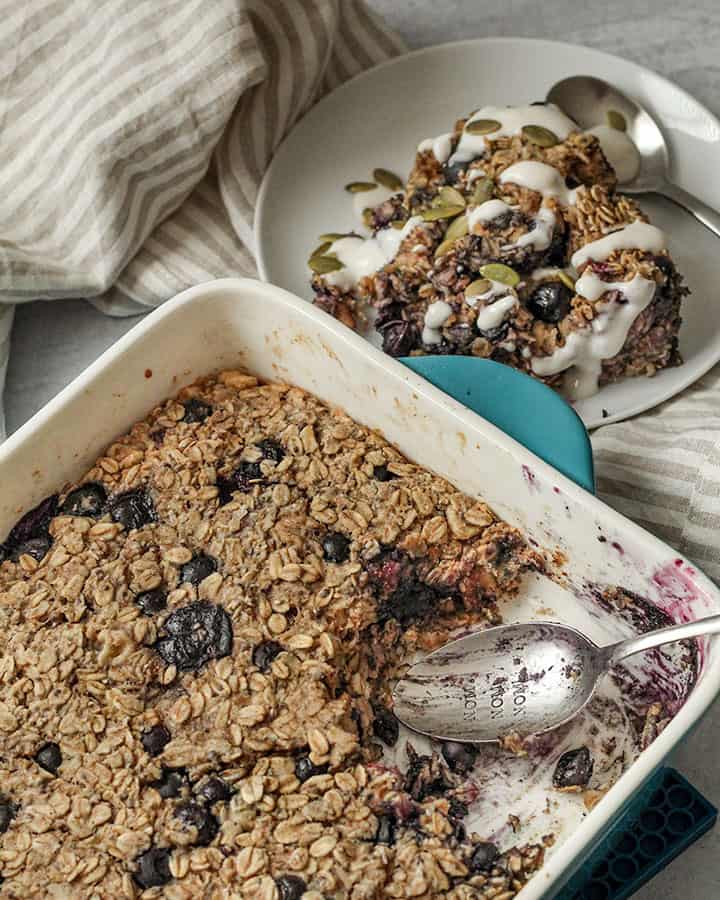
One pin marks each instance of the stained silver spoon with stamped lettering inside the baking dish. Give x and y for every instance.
(515, 679)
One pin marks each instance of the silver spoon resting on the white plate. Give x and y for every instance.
(586, 100)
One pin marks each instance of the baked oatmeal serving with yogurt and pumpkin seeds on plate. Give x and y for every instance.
(510, 241)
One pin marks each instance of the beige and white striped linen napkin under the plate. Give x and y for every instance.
(134, 138)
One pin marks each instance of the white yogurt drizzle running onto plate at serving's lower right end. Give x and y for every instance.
(586, 349)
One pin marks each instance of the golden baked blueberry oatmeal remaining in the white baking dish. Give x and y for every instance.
(200, 639)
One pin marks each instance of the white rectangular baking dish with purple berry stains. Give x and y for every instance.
(243, 323)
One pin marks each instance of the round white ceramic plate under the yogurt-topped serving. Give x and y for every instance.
(378, 118)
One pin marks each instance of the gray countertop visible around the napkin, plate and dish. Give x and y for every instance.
(53, 342)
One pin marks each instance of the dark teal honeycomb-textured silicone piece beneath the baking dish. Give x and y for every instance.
(666, 817)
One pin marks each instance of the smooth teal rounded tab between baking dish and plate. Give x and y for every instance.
(526, 409)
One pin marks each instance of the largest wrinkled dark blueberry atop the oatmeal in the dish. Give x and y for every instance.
(195, 634)
